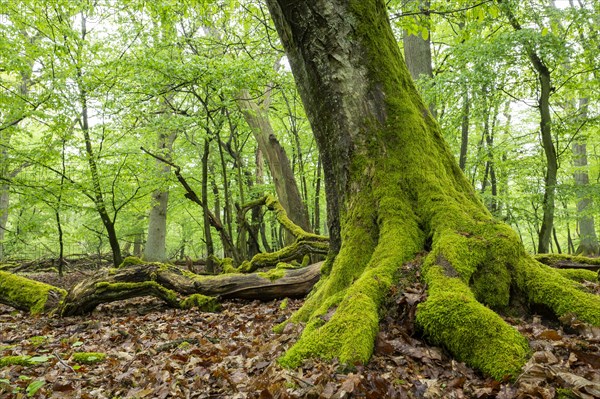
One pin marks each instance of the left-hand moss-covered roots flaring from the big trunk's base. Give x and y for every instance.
(343, 312)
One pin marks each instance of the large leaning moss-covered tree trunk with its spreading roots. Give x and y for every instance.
(393, 190)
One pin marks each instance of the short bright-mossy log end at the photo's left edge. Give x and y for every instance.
(29, 295)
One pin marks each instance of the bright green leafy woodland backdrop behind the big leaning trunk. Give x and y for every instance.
(85, 84)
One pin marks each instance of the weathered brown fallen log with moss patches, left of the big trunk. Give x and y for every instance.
(180, 288)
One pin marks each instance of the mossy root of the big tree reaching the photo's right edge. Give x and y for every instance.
(544, 285)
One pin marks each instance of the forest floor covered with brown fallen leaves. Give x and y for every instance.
(156, 352)
